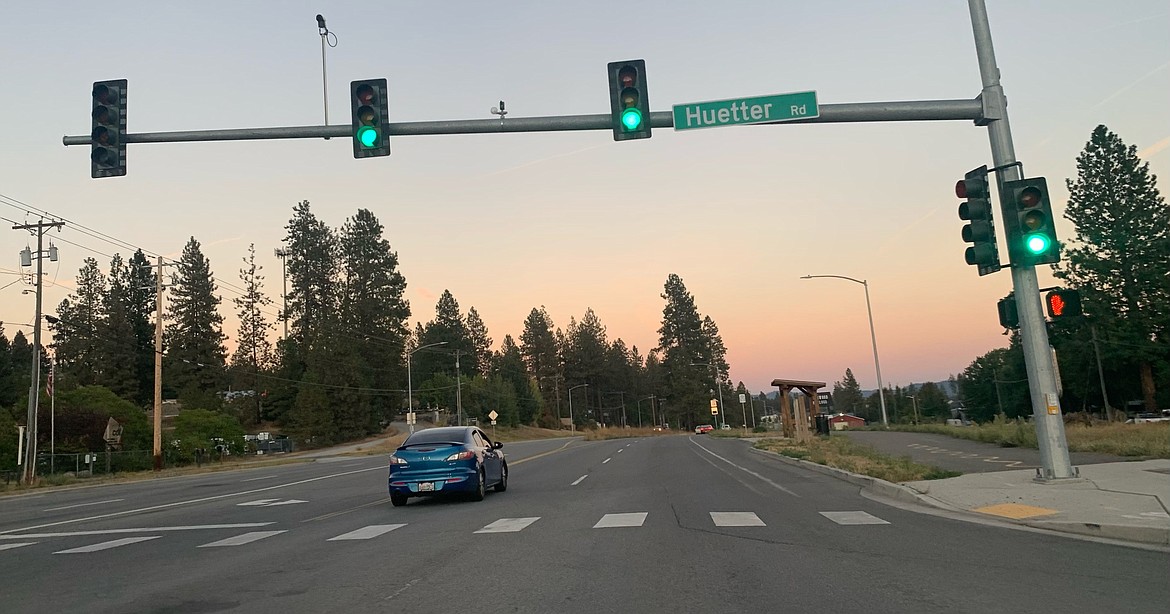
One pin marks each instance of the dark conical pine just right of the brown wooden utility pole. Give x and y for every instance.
(195, 340)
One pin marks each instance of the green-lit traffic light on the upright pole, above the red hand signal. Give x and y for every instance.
(1031, 230)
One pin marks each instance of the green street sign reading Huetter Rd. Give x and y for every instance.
(739, 112)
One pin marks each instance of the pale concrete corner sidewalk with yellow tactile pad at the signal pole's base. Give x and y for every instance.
(1128, 501)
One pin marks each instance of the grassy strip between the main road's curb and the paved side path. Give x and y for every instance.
(843, 453)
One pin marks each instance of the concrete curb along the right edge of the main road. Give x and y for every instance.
(1140, 535)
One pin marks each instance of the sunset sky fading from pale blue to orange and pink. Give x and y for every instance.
(575, 220)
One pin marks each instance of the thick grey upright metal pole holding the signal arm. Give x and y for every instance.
(1049, 422)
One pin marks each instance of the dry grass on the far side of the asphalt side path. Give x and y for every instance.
(1150, 440)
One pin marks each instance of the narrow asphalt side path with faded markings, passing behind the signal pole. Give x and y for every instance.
(962, 456)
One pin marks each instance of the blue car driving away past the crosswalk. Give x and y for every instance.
(448, 460)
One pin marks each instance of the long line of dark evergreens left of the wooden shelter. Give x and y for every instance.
(341, 371)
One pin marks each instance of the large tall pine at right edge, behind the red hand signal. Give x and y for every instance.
(1120, 258)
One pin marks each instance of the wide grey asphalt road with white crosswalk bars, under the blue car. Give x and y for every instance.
(663, 525)
